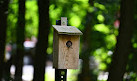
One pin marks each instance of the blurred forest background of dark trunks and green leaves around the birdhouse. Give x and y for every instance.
(108, 46)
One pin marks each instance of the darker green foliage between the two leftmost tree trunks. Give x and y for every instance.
(12, 21)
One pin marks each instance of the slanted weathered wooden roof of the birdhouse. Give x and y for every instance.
(68, 30)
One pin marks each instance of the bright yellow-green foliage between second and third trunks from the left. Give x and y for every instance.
(31, 18)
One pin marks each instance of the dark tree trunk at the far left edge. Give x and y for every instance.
(3, 27)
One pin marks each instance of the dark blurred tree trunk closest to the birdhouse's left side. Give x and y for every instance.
(42, 44)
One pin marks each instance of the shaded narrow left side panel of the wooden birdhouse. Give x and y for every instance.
(55, 49)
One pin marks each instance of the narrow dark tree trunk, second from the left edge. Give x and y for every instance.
(20, 40)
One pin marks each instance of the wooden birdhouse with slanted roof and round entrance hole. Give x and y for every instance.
(66, 42)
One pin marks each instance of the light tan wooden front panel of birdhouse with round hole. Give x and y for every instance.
(68, 55)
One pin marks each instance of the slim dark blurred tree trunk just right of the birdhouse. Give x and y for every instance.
(85, 75)
